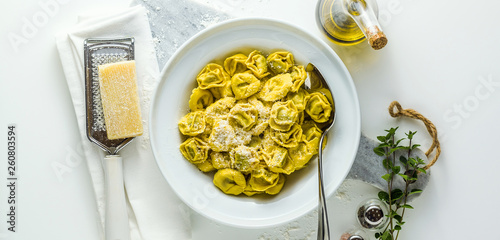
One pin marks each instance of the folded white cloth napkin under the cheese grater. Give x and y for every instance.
(155, 212)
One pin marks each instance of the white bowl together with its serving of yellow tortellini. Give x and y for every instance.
(236, 134)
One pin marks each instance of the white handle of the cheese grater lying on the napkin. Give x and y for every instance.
(117, 227)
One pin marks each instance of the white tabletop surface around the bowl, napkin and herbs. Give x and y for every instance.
(442, 60)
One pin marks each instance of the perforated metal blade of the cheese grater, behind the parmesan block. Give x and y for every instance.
(97, 52)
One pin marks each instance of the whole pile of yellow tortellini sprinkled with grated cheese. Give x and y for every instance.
(252, 122)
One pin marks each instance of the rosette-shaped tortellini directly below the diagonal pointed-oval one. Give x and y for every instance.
(283, 115)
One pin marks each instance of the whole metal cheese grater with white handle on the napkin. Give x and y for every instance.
(97, 52)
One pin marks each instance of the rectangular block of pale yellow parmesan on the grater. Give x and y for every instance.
(120, 101)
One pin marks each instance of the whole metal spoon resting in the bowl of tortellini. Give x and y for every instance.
(316, 82)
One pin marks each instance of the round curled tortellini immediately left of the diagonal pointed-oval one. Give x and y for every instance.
(244, 85)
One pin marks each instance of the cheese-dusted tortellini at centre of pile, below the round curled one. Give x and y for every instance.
(243, 115)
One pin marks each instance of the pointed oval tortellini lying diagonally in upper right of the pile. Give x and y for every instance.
(276, 87)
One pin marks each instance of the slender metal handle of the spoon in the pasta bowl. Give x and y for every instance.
(323, 226)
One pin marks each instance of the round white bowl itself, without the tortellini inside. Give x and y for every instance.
(170, 103)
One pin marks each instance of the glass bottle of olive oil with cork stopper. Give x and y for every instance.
(349, 22)
